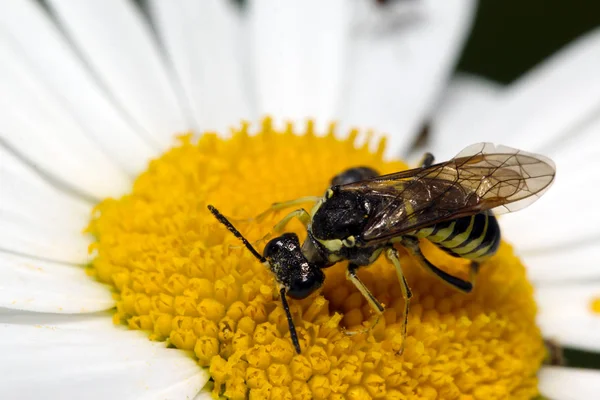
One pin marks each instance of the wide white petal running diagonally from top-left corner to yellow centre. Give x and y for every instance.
(42, 59)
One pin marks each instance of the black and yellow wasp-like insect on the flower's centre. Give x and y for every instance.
(363, 215)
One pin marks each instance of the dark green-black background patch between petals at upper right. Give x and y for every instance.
(511, 36)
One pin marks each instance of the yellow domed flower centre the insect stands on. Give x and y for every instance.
(180, 276)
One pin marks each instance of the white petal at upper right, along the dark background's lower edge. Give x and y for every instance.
(549, 101)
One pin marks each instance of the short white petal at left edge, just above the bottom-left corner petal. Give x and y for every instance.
(44, 286)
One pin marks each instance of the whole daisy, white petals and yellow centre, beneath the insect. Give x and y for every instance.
(94, 90)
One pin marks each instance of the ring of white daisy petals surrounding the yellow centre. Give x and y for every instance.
(90, 94)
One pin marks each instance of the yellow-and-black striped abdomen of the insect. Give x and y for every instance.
(476, 237)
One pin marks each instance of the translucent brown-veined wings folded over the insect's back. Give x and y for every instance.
(482, 177)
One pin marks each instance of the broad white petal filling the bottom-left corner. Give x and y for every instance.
(82, 363)
